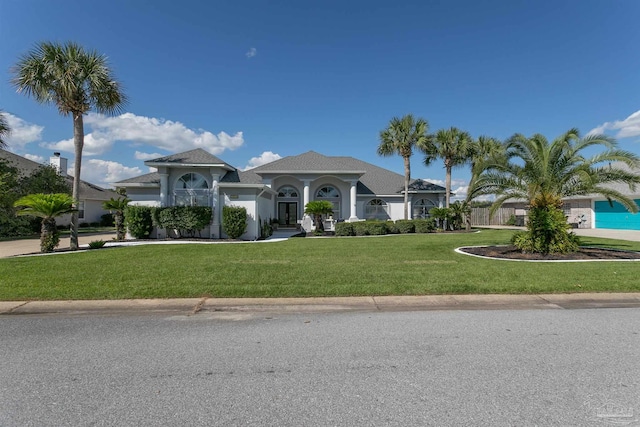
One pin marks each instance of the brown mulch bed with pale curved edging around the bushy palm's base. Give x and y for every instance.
(590, 254)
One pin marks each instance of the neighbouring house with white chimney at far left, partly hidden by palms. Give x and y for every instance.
(91, 196)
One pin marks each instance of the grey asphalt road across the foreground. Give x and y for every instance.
(494, 368)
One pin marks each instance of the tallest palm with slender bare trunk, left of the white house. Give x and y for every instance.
(76, 81)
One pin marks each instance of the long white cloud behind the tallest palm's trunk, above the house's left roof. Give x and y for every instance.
(164, 134)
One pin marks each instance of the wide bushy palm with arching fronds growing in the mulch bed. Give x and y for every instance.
(544, 173)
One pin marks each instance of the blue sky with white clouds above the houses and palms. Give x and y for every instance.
(253, 80)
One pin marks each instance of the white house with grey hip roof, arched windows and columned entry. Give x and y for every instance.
(358, 190)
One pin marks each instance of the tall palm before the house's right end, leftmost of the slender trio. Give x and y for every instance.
(401, 137)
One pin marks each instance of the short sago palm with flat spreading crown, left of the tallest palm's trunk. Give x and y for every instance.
(47, 207)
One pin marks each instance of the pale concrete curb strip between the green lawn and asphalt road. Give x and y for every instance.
(224, 307)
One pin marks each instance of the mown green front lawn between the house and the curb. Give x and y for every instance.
(301, 267)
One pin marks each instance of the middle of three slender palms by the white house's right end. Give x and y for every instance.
(453, 146)
